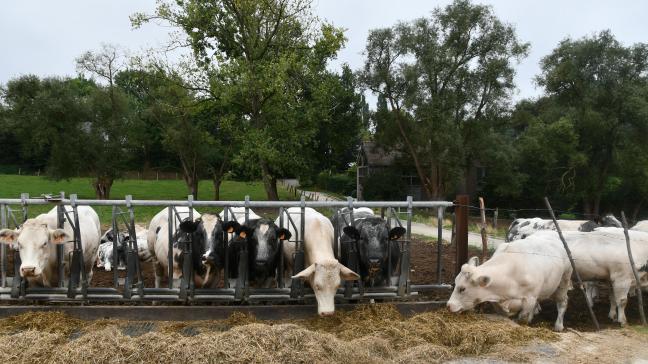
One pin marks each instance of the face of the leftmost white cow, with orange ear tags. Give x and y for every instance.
(34, 241)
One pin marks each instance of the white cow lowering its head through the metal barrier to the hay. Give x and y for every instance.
(323, 272)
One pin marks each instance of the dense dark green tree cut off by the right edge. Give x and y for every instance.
(601, 88)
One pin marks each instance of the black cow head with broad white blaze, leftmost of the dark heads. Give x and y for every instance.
(207, 245)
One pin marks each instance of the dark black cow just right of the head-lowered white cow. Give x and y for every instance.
(374, 245)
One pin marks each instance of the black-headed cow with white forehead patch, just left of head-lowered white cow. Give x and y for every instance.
(261, 239)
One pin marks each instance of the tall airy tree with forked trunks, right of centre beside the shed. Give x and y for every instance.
(445, 80)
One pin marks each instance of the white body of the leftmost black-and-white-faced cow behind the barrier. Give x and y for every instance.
(158, 242)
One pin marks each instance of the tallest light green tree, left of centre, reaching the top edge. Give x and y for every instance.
(263, 50)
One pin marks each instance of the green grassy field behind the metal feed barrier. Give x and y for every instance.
(11, 186)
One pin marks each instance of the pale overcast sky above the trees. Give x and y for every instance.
(44, 37)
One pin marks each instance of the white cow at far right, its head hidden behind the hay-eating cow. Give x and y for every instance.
(602, 255)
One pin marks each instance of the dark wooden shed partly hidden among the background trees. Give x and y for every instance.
(373, 158)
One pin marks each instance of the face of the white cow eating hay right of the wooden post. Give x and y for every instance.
(471, 288)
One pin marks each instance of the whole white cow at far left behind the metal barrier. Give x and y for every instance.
(37, 239)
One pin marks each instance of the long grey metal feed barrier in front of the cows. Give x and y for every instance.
(131, 287)
